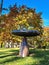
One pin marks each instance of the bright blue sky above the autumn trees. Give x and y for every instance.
(40, 5)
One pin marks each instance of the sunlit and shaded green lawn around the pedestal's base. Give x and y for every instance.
(37, 57)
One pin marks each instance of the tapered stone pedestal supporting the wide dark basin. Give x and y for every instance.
(24, 50)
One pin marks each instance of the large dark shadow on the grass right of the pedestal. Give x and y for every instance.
(41, 55)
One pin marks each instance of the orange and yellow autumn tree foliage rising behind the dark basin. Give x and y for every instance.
(20, 18)
